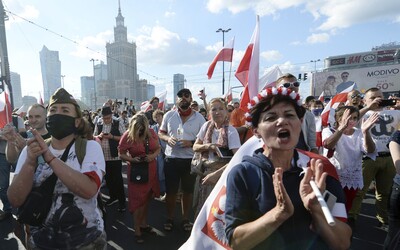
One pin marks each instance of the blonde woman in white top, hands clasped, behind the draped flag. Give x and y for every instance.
(214, 134)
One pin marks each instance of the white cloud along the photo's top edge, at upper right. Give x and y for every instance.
(332, 14)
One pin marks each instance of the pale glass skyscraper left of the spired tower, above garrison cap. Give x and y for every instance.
(51, 71)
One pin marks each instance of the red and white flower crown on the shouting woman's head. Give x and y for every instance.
(267, 92)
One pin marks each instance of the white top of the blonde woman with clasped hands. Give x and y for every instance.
(233, 138)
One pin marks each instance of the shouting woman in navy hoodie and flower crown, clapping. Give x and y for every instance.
(286, 213)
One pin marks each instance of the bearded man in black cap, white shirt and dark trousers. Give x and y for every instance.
(179, 129)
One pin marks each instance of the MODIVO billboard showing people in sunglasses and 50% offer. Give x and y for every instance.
(386, 78)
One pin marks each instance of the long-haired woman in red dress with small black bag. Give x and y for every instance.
(139, 144)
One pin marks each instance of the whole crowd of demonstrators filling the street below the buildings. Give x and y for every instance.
(269, 194)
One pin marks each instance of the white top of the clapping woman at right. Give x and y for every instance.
(347, 157)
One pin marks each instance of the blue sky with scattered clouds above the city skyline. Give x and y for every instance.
(179, 36)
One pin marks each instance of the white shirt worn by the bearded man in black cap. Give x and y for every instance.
(191, 128)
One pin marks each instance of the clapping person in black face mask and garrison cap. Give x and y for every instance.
(80, 181)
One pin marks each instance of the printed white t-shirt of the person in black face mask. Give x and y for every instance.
(92, 223)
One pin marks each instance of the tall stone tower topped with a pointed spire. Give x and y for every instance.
(122, 64)
